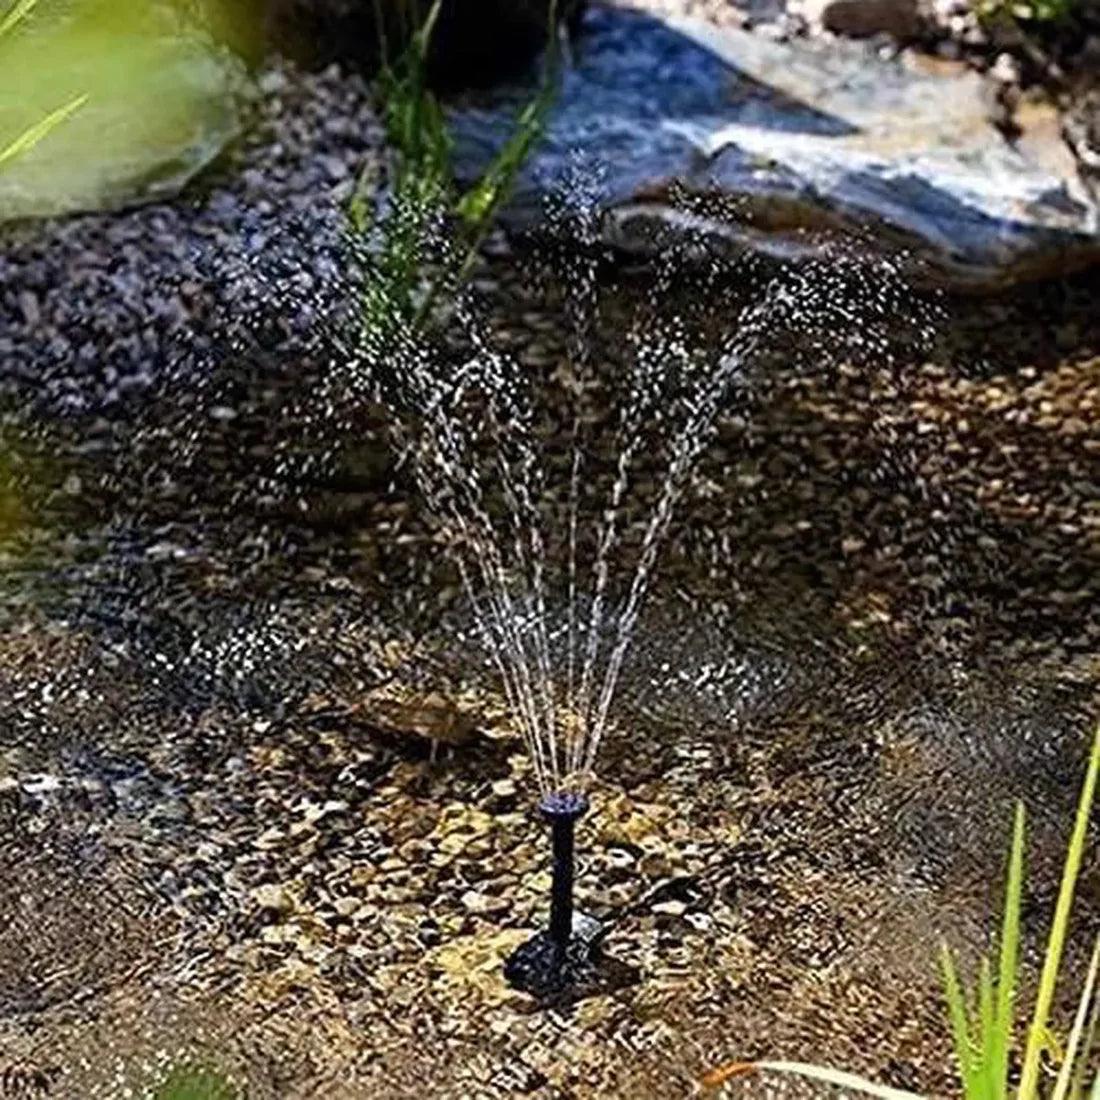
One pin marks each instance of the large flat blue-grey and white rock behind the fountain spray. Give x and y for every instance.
(776, 144)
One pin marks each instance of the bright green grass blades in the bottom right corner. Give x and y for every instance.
(983, 1018)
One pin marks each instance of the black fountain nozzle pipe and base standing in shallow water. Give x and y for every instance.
(568, 952)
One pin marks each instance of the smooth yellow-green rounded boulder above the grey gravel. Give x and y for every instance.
(115, 150)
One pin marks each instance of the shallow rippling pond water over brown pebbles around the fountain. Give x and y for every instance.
(263, 800)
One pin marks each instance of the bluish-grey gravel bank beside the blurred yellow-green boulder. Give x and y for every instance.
(96, 309)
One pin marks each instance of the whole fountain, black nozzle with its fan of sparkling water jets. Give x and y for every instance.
(470, 428)
